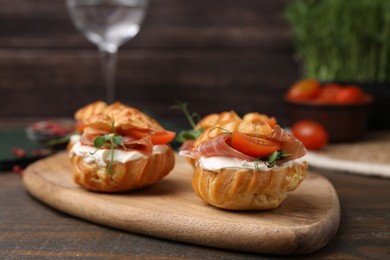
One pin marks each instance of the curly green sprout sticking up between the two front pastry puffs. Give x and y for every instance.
(194, 132)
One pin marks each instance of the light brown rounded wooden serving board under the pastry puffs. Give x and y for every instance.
(169, 209)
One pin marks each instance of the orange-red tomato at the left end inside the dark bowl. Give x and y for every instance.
(304, 90)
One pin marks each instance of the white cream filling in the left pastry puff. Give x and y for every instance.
(101, 156)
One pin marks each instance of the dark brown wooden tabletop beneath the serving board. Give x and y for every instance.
(29, 228)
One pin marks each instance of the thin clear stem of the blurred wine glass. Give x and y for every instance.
(108, 69)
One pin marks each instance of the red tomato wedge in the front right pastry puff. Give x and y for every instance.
(253, 146)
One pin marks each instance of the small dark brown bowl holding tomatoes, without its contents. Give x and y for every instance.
(343, 122)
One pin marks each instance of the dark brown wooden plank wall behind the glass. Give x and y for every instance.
(217, 55)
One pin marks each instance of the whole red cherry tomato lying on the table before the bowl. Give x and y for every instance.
(312, 134)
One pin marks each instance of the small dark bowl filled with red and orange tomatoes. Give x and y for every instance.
(343, 110)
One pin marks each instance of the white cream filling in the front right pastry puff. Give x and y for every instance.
(215, 163)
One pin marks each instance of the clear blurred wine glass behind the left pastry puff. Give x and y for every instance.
(108, 24)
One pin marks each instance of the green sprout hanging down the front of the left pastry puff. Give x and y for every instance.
(110, 141)
